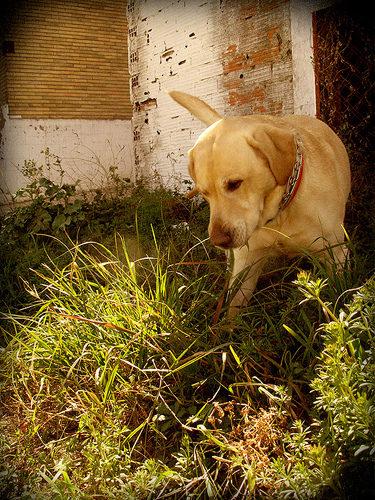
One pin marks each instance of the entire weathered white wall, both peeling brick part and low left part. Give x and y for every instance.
(242, 57)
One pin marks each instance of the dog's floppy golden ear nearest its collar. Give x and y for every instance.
(278, 146)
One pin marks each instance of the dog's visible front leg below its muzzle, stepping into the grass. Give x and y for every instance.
(246, 264)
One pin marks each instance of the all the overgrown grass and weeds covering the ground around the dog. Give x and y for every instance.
(121, 377)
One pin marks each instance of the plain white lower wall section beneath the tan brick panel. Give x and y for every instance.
(87, 148)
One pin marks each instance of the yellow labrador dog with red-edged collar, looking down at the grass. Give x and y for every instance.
(275, 185)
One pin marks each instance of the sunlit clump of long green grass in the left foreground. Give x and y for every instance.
(121, 315)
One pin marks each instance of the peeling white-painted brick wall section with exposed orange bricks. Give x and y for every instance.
(235, 55)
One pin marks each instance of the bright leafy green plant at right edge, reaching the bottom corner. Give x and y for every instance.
(342, 433)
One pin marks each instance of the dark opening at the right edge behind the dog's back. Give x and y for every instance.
(344, 58)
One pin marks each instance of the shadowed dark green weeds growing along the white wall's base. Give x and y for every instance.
(48, 210)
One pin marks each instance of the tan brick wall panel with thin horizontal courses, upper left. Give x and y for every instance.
(70, 60)
